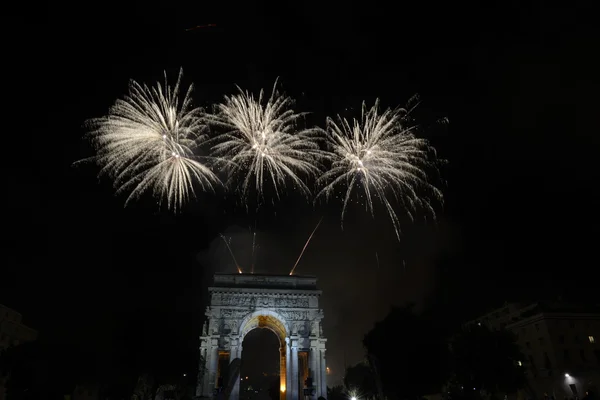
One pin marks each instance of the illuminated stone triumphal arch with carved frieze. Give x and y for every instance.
(286, 305)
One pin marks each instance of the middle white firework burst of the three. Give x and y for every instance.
(262, 144)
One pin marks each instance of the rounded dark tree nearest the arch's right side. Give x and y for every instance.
(408, 354)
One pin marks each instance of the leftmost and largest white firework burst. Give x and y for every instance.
(145, 144)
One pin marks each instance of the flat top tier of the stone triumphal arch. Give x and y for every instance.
(265, 281)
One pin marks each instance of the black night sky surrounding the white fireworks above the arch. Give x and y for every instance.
(517, 80)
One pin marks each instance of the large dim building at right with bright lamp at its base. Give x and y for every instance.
(560, 344)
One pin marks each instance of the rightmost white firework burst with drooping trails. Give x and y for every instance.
(381, 157)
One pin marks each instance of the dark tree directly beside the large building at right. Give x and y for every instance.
(487, 360)
